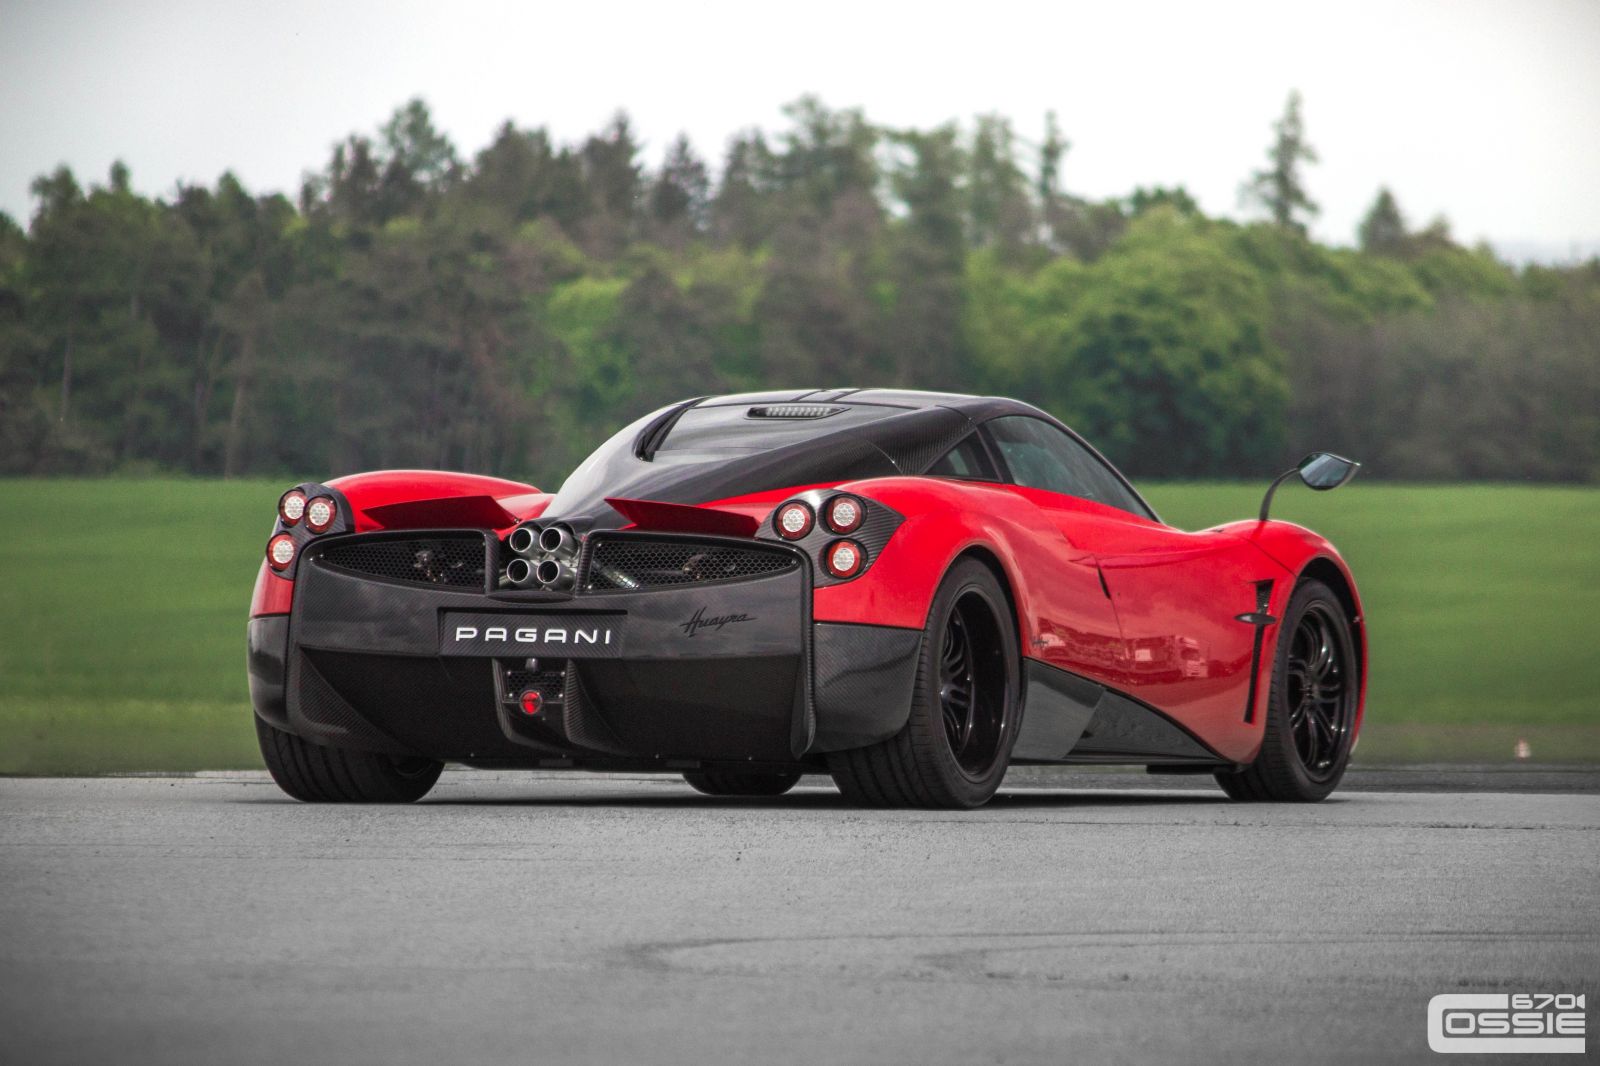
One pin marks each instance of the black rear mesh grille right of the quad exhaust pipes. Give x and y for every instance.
(646, 563)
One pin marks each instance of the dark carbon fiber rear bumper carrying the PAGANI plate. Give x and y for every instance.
(710, 673)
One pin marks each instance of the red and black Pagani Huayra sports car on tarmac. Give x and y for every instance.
(908, 591)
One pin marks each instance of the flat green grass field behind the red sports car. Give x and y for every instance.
(122, 617)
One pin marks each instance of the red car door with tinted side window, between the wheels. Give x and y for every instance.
(1178, 596)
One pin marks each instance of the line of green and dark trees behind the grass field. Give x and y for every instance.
(505, 313)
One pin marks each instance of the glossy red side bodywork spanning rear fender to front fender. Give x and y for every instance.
(1143, 607)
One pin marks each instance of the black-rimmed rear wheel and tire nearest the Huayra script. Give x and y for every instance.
(964, 713)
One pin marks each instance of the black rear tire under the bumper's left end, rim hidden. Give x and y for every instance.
(335, 775)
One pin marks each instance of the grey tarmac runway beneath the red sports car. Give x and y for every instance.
(570, 918)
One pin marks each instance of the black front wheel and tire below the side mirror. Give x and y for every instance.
(1311, 708)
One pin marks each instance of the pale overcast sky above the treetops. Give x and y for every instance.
(1484, 111)
